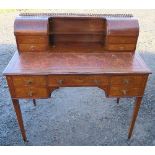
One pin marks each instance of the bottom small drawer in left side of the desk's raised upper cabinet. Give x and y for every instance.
(32, 47)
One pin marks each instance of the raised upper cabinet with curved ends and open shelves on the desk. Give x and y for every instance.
(76, 32)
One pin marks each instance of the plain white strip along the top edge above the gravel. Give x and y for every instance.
(77, 4)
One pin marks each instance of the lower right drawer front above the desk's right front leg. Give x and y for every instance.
(124, 92)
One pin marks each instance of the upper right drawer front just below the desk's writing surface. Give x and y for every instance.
(128, 81)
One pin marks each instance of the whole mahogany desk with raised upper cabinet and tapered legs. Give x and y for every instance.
(44, 63)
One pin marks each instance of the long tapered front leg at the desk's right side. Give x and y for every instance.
(134, 115)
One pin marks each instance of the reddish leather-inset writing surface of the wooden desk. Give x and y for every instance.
(46, 63)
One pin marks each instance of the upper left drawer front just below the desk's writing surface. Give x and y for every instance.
(19, 81)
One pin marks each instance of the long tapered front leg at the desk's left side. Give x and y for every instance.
(19, 118)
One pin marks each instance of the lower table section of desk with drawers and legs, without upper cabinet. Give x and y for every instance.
(36, 76)
